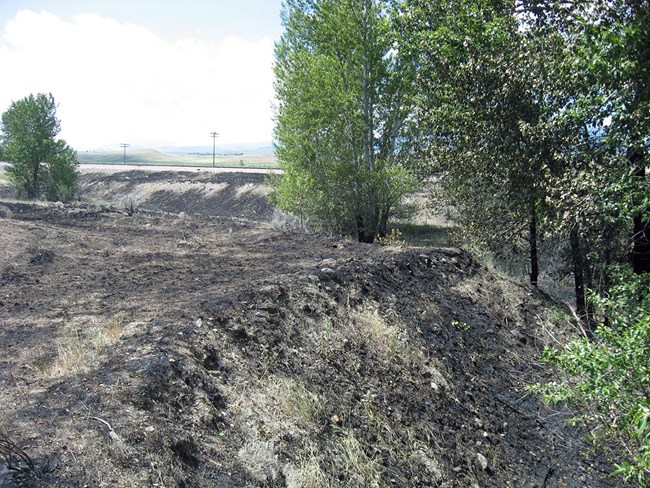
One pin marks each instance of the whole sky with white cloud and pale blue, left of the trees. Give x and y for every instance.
(149, 73)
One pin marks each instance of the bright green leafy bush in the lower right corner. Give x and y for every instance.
(609, 376)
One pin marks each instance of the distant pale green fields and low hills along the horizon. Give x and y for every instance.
(155, 157)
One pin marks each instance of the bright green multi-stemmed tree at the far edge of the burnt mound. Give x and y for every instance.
(343, 114)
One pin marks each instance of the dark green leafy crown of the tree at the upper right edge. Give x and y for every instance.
(602, 184)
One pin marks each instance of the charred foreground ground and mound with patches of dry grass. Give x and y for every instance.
(158, 350)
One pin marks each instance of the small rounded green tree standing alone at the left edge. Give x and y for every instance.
(39, 164)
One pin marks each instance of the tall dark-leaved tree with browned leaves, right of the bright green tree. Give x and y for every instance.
(485, 84)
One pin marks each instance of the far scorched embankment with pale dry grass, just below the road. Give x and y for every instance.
(225, 195)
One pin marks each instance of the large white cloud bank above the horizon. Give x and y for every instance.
(117, 82)
